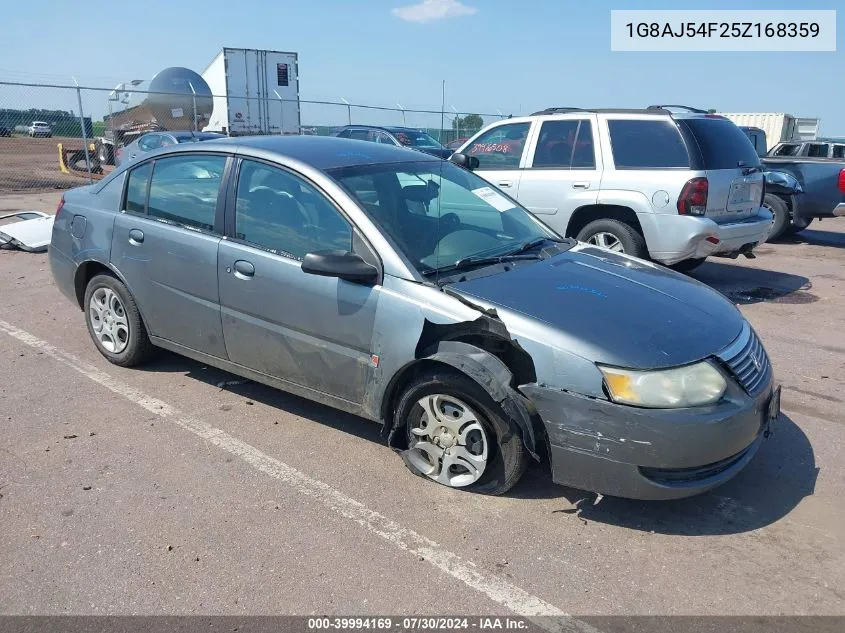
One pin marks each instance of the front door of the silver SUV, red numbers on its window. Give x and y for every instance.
(500, 151)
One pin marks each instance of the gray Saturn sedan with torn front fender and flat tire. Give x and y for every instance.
(407, 290)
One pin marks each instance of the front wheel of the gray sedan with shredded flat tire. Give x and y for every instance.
(458, 436)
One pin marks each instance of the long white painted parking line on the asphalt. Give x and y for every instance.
(514, 598)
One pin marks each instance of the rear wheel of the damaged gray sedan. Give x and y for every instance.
(114, 322)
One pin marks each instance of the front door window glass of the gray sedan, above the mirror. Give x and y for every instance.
(282, 213)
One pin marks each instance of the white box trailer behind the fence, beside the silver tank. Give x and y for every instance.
(255, 92)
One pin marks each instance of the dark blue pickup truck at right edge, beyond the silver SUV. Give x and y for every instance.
(800, 189)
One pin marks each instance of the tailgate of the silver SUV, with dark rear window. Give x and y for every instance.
(735, 190)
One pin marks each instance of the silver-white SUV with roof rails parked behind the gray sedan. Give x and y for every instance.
(673, 187)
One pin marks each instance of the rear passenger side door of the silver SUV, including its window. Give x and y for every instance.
(562, 172)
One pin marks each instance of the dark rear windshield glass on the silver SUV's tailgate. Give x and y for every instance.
(722, 144)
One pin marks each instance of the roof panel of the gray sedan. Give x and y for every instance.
(319, 152)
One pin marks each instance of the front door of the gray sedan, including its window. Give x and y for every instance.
(310, 330)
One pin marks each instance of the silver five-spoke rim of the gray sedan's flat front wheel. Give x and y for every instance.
(448, 442)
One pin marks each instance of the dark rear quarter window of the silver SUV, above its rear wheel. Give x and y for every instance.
(647, 144)
